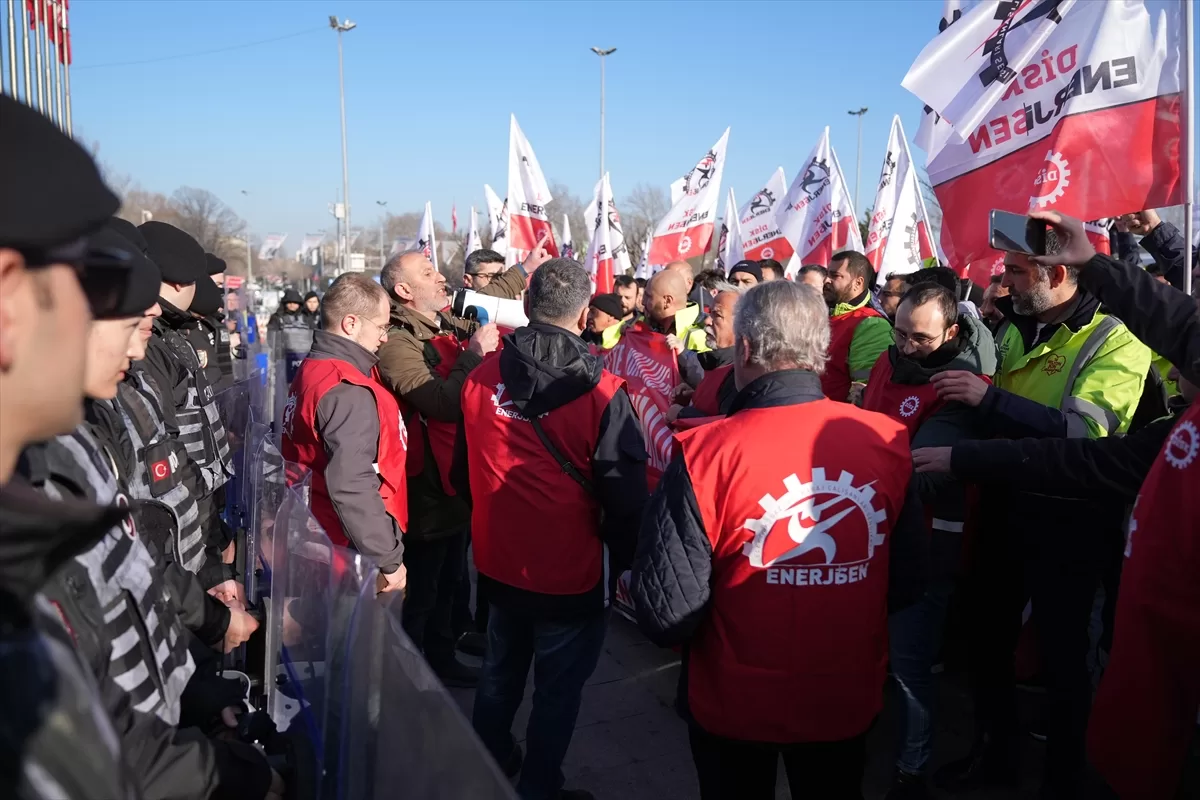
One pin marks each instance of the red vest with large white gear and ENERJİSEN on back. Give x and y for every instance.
(797, 503)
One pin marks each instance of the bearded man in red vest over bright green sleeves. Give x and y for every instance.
(859, 334)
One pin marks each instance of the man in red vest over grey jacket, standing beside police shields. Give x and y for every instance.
(344, 426)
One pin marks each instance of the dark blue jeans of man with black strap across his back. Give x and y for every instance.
(565, 655)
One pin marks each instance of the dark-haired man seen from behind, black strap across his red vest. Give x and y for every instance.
(557, 478)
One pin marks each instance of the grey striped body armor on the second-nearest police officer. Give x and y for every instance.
(116, 606)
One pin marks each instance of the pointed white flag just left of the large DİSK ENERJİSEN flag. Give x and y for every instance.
(899, 238)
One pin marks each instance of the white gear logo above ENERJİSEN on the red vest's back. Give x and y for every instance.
(821, 516)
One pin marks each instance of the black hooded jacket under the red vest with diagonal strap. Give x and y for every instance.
(545, 368)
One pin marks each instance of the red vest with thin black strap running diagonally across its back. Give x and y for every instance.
(532, 526)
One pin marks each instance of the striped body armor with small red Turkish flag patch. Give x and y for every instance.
(160, 473)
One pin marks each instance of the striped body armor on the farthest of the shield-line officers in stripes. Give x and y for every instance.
(201, 429)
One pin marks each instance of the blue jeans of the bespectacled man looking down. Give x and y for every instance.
(916, 637)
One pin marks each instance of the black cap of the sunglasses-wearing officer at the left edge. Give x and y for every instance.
(51, 193)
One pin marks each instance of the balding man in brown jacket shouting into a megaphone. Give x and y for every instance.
(428, 357)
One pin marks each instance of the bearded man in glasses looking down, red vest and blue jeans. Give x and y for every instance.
(931, 339)
